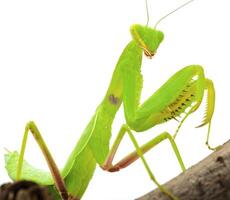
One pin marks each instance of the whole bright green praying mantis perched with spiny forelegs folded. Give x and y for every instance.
(183, 91)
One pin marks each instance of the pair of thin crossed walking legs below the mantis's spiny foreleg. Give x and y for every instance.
(138, 153)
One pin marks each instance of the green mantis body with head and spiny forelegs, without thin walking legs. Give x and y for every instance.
(177, 94)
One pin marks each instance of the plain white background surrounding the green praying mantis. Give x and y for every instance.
(56, 61)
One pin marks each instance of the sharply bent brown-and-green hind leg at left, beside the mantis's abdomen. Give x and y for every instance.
(31, 127)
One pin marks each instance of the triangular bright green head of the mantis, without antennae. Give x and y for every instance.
(147, 38)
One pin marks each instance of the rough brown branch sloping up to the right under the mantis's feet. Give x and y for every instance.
(207, 180)
